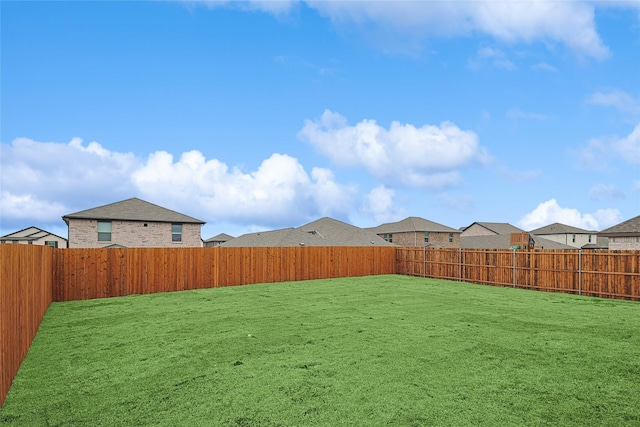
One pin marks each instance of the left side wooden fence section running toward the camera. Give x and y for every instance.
(25, 295)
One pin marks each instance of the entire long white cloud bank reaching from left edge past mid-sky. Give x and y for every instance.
(41, 181)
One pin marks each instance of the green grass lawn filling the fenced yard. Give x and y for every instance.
(384, 350)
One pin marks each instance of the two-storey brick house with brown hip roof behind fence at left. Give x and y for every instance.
(132, 223)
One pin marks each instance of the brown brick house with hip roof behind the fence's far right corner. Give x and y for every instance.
(415, 231)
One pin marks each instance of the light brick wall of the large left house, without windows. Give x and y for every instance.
(83, 233)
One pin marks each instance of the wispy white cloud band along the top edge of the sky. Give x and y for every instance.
(570, 23)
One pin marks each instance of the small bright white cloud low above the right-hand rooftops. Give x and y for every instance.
(550, 212)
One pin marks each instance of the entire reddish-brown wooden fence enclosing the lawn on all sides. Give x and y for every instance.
(34, 276)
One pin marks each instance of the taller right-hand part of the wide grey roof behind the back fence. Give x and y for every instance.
(343, 233)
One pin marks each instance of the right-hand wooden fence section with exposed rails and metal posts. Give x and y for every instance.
(610, 274)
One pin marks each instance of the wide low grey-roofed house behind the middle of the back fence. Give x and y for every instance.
(323, 232)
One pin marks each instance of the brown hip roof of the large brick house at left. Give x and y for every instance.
(133, 209)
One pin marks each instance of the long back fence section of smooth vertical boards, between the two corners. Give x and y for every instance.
(100, 273)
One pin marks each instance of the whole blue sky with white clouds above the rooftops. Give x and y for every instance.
(261, 115)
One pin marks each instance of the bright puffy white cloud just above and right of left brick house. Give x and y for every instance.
(278, 192)
